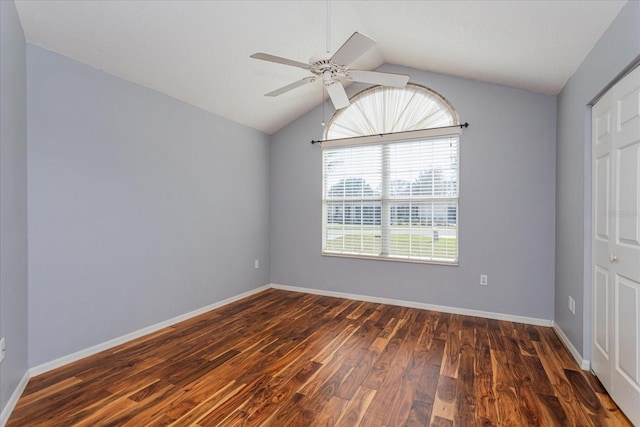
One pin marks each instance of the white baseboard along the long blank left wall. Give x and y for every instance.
(48, 366)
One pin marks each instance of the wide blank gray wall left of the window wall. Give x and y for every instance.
(142, 207)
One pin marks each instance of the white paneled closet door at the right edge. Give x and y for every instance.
(616, 243)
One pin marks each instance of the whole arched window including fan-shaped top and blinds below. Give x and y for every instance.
(394, 197)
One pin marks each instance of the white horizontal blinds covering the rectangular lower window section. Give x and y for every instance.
(397, 200)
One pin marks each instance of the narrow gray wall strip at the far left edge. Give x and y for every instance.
(13, 201)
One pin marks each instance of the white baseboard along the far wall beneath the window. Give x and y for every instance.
(423, 306)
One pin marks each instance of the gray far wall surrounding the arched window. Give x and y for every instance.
(507, 208)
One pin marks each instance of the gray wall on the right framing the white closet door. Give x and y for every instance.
(615, 50)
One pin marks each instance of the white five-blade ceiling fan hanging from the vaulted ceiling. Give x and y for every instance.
(332, 69)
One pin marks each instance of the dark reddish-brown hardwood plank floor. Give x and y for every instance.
(282, 358)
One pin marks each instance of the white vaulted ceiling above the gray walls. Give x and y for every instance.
(198, 51)
